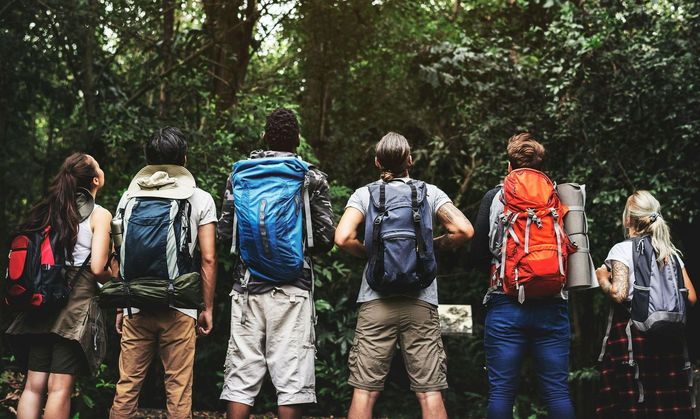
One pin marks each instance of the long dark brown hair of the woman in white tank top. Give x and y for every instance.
(59, 208)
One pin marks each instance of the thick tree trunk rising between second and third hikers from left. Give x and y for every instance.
(230, 25)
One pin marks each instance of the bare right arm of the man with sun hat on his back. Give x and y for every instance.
(206, 235)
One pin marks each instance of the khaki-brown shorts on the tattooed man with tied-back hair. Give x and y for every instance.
(416, 326)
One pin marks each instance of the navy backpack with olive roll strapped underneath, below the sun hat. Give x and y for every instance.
(156, 266)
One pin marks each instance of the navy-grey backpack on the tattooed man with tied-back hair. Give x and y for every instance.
(399, 237)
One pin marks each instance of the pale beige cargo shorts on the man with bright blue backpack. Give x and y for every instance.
(277, 335)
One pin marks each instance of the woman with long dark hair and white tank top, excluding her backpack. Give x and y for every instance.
(58, 346)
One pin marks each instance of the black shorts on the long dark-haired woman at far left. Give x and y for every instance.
(54, 354)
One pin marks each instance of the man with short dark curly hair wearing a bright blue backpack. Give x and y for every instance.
(272, 311)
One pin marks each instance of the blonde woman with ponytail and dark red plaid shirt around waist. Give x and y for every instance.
(649, 376)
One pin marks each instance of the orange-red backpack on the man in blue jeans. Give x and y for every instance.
(534, 247)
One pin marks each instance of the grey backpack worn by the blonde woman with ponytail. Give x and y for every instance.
(659, 299)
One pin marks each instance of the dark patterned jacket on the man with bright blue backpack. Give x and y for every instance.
(322, 221)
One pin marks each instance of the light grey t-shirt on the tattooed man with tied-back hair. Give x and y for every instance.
(360, 200)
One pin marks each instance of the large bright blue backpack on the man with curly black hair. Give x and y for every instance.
(270, 199)
